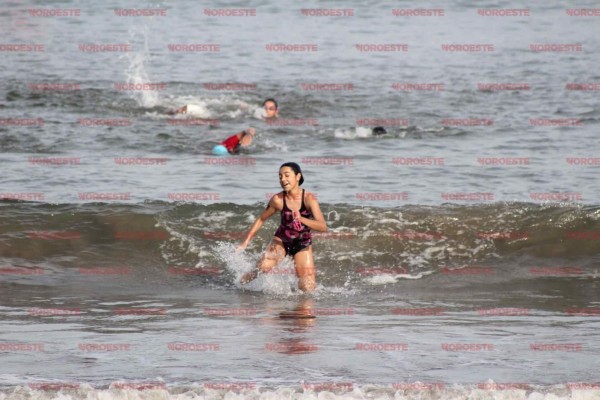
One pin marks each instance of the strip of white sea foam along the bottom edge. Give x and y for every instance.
(305, 391)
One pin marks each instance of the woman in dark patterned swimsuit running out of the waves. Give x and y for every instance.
(300, 212)
